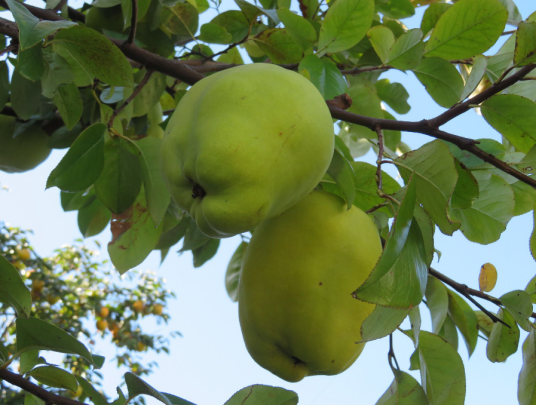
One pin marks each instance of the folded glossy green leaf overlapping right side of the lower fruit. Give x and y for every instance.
(399, 278)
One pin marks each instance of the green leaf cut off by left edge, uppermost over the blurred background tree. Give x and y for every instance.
(13, 291)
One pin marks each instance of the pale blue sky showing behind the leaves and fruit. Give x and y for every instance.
(210, 362)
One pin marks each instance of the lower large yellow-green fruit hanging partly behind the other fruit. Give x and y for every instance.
(297, 314)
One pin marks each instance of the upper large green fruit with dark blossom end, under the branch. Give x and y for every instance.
(245, 145)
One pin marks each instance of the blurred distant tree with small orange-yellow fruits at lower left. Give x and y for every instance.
(69, 290)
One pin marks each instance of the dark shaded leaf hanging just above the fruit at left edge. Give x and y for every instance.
(25, 96)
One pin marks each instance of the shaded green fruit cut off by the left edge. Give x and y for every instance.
(23, 152)
